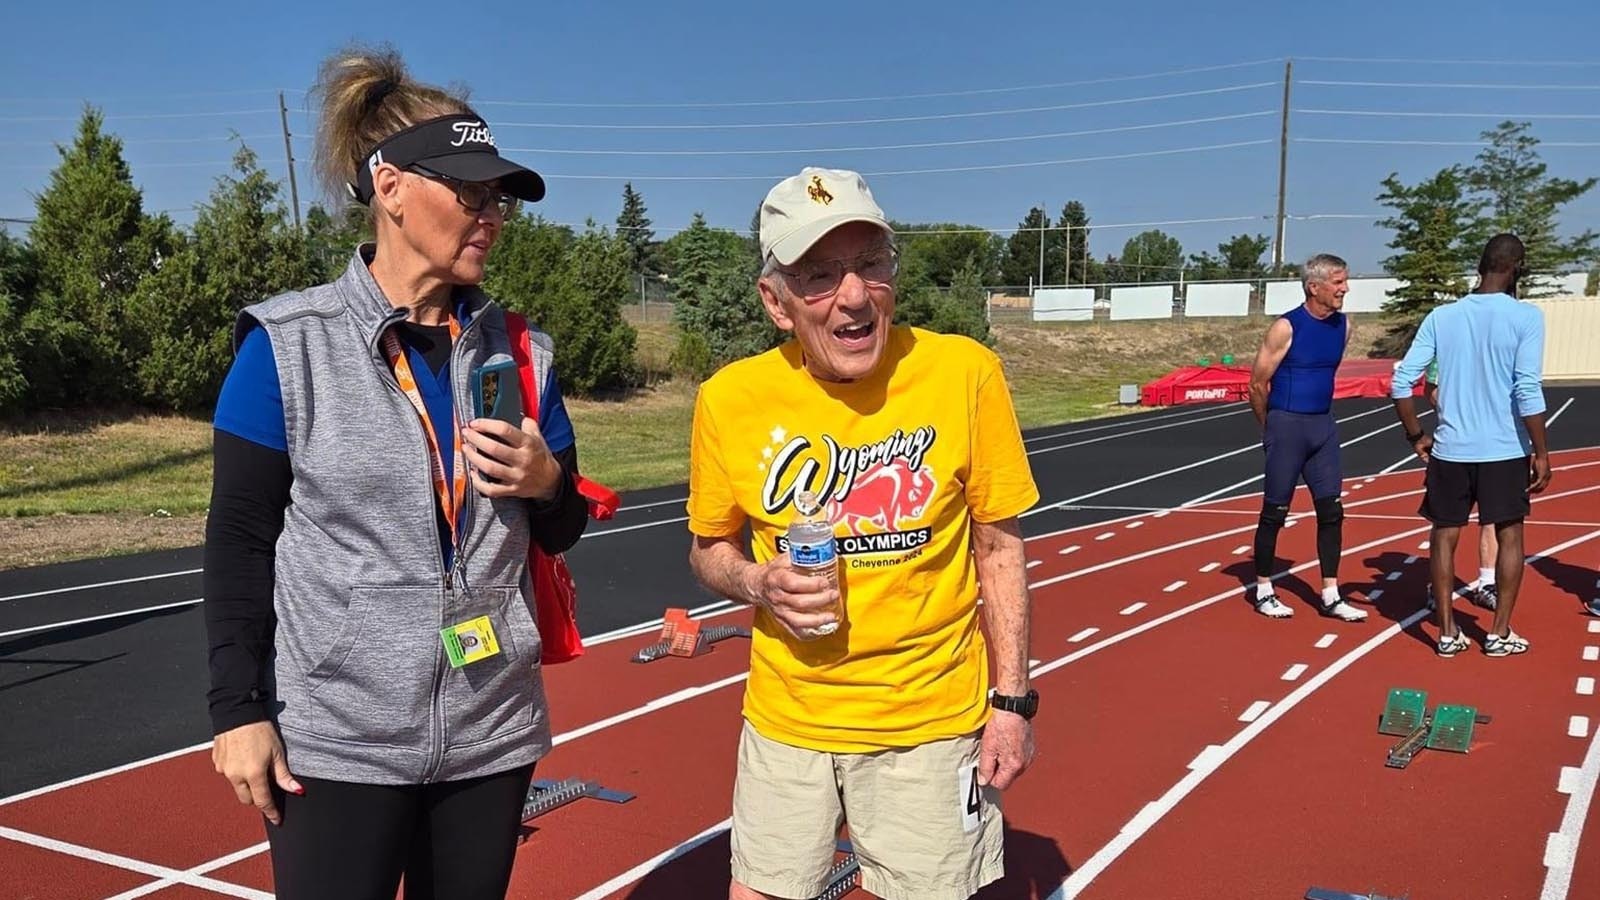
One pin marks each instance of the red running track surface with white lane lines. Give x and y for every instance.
(1148, 782)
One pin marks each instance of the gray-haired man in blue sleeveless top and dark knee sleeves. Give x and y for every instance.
(1292, 393)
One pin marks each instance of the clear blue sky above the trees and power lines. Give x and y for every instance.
(145, 70)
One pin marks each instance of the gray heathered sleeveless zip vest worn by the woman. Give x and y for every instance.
(362, 685)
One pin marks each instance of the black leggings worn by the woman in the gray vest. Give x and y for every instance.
(452, 842)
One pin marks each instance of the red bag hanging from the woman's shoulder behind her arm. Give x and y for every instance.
(554, 592)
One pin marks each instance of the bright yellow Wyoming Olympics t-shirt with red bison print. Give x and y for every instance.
(906, 460)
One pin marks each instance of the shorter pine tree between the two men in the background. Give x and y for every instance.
(1433, 223)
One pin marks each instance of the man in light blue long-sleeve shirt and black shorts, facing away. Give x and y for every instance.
(1490, 446)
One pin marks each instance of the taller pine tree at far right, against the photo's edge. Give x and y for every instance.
(1521, 199)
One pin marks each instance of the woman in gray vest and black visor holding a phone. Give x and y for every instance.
(375, 662)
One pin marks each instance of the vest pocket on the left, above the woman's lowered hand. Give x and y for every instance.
(377, 680)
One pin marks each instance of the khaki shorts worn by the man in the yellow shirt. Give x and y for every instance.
(919, 824)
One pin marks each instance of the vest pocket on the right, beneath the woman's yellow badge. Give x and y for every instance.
(495, 697)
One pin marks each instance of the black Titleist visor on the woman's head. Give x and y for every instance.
(458, 147)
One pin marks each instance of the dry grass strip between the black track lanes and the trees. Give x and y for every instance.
(86, 486)
